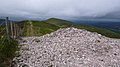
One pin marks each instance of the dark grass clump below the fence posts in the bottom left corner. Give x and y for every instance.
(7, 52)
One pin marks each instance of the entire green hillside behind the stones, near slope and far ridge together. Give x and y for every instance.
(38, 28)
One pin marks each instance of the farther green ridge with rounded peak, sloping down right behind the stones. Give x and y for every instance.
(103, 31)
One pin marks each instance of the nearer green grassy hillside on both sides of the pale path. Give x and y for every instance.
(39, 28)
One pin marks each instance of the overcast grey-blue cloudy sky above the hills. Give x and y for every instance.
(66, 9)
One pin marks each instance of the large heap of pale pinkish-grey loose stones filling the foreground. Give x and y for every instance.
(68, 47)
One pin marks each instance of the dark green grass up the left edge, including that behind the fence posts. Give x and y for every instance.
(7, 50)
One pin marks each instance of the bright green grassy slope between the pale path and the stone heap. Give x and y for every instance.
(41, 28)
